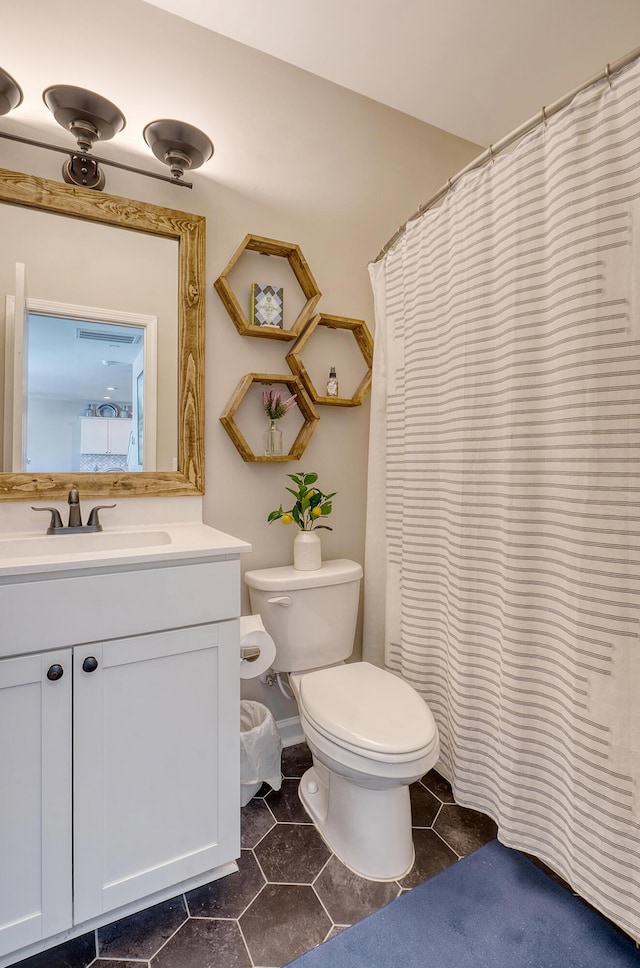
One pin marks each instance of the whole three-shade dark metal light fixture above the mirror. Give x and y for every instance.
(91, 118)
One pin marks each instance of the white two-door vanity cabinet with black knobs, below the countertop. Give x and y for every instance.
(120, 782)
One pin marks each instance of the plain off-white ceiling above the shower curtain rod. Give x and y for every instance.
(476, 68)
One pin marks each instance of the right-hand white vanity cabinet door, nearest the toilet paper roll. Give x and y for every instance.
(156, 790)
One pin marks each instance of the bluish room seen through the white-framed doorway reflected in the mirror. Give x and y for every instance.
(80, 395)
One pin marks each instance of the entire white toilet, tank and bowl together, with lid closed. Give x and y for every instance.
(370, 733)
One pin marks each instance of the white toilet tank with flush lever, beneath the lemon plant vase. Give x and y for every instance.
(310, 615)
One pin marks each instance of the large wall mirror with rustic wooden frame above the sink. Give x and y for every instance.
(85, 251)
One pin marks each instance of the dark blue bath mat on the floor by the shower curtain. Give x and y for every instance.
(494, 909)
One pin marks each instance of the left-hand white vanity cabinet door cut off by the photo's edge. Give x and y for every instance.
(35, 798)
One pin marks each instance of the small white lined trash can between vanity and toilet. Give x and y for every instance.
(260, 750)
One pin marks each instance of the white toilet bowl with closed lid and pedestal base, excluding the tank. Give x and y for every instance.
(370, 735)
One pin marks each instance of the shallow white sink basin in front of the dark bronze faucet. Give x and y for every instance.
(39, 546)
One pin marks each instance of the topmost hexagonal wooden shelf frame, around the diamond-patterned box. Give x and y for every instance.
(300, 269)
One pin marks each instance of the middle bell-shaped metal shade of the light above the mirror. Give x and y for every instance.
(88, 116)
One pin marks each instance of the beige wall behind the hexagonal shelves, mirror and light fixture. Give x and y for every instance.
(297, 159)
